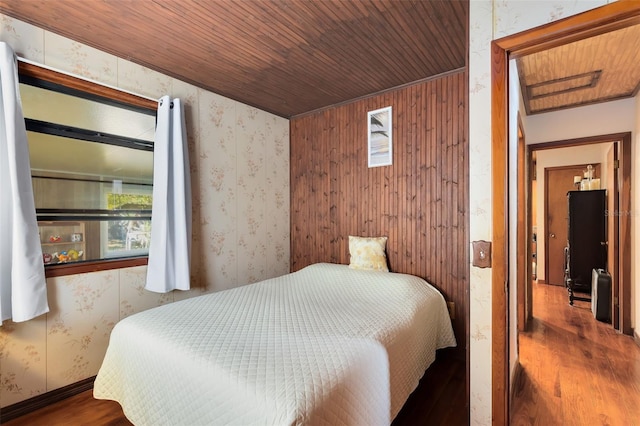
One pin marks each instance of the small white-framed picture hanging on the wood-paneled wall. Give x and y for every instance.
(380, 145)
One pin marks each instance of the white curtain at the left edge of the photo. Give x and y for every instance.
(23, 291)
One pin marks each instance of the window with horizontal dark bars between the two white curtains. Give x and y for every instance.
(91, 152)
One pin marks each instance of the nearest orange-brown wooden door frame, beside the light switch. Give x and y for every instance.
(607, 18)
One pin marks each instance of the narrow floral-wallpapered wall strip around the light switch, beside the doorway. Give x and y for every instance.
(489, 20)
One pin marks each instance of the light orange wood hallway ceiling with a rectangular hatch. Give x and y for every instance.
(597, 69)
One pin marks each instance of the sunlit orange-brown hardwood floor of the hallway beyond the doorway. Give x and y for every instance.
(576, 370)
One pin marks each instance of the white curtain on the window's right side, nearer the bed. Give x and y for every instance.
(170, 248)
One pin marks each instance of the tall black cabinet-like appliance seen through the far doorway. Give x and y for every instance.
(587, 239)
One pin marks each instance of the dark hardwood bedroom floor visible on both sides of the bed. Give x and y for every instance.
(438, 400)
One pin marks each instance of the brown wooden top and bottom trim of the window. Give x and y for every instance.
(110, 95)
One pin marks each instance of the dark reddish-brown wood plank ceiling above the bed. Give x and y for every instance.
(288, 57)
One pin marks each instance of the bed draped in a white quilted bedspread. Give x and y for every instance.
(326, 345)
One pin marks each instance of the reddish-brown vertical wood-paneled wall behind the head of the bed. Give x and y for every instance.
(420, 202)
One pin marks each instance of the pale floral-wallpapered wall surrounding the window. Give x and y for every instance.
(240, 178)
